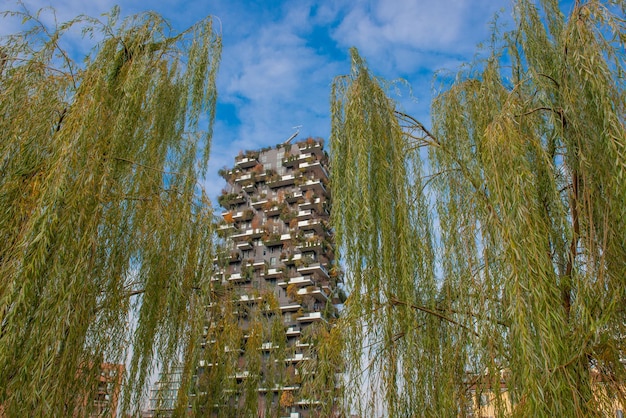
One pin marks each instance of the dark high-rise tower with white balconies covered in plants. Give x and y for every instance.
(275, 289)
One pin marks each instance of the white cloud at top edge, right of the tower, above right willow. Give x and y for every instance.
(409, 34)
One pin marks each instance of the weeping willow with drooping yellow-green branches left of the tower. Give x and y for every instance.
(106, 237)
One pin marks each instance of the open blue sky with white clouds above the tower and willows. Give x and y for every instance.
(280, 57)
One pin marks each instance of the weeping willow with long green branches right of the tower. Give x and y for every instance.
(487, 255)
